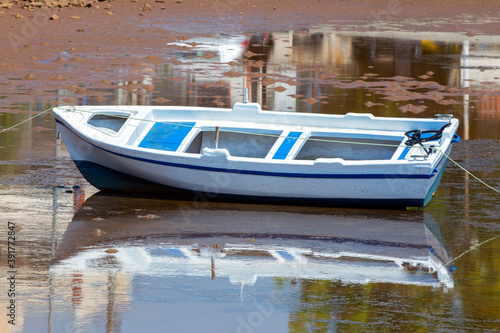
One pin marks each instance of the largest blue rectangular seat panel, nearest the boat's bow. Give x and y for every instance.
(166, 136)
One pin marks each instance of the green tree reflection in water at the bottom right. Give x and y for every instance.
(331, 306)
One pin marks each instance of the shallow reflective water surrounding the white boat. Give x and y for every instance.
(185, 265)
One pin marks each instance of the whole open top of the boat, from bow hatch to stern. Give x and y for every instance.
(247, 131)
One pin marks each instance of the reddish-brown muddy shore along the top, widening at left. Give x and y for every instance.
(39, 55)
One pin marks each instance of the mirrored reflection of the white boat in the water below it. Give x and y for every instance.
(247, 243)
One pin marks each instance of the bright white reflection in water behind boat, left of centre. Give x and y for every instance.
(196, 76)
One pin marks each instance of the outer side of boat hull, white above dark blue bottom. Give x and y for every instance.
(126, 173)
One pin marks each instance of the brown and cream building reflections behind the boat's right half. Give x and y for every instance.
(451, 60)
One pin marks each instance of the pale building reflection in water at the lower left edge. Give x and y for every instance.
(41, 220)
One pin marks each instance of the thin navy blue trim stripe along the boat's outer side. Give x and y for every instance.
(261, 173)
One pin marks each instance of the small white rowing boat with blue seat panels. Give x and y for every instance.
(245, 153)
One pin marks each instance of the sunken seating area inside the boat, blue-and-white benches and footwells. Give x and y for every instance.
(274, 143)
